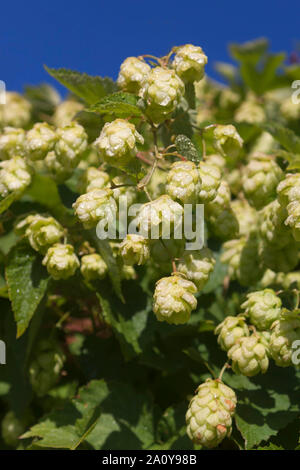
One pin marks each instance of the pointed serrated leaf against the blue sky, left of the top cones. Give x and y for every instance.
(90, 88)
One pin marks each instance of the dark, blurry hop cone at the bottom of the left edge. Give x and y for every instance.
(12, 427)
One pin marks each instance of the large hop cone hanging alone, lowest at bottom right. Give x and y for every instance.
(209, 415)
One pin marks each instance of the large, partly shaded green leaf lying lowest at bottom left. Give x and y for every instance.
(103, 416)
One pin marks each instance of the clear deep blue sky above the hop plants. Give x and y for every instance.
(96, 36)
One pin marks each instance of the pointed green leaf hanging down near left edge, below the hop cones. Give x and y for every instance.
(27, 282)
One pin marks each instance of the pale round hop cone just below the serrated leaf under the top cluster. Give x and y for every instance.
(117, 143)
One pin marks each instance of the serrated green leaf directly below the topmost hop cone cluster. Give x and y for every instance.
(120, 104)
